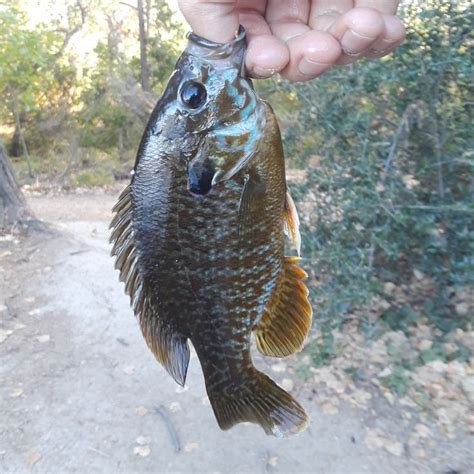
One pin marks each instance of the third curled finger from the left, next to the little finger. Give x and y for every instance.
(357, 30)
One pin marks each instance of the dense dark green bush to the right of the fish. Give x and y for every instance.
(389, 187)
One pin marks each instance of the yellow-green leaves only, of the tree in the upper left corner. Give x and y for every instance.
(35, 80)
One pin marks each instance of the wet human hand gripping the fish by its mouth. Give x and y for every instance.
(299, 38)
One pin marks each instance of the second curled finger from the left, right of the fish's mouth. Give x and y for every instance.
(310, 55)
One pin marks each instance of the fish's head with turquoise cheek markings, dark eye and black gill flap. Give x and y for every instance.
(210, 116)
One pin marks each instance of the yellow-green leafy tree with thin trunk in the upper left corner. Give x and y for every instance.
(36, 79)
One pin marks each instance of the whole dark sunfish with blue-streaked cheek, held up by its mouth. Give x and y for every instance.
(199, 238)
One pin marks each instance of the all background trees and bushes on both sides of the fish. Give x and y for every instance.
(386, 149)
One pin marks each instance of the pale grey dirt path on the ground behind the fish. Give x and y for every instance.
(80, 392)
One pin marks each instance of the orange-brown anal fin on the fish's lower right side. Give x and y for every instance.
(286, 320)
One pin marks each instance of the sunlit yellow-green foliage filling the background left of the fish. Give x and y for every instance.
(64, 106)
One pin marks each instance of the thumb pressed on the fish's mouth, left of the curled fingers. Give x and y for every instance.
(215, 20)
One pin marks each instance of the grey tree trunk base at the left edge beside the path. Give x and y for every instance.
(12, 202)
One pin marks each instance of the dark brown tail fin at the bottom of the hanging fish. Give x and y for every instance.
(263, 402)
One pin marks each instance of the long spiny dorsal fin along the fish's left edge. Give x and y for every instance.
(169, 348)
